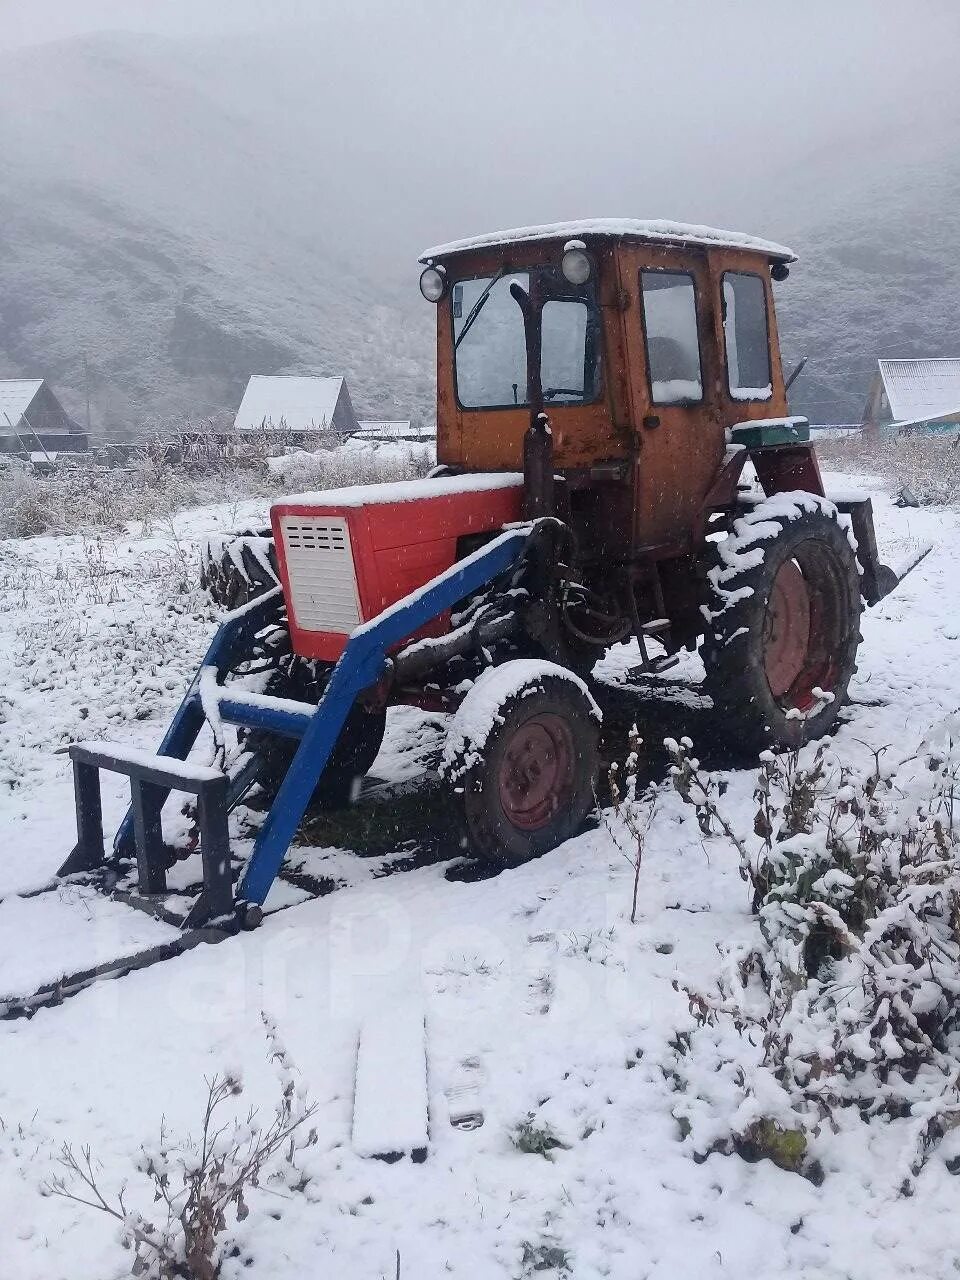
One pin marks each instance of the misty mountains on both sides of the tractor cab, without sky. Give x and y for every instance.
(185, 214)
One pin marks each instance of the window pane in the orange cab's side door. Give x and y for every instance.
(673, 341)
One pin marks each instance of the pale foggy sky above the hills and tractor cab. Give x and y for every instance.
(428, 121)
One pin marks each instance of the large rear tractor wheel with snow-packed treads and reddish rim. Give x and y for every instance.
(784, 624)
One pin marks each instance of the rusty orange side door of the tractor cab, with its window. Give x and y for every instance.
(674, 380)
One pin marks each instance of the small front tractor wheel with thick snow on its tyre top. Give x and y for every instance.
(523, 758)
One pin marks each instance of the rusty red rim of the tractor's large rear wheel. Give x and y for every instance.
(804, 627)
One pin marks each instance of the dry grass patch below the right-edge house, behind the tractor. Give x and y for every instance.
(927, 465)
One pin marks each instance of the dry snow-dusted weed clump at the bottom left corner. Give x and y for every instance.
(199, 1185)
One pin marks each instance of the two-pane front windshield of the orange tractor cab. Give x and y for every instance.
(490, 349)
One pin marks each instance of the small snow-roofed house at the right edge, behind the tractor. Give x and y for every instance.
(915, 396)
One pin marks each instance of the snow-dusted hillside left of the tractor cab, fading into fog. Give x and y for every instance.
(181, 267)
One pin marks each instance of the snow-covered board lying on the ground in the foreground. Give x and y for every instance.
(390, 1100)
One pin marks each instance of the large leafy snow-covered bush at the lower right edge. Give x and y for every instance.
(849, 996)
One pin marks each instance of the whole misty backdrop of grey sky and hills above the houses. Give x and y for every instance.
(195, 190)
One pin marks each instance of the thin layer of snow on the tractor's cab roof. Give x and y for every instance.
(629, 228)
